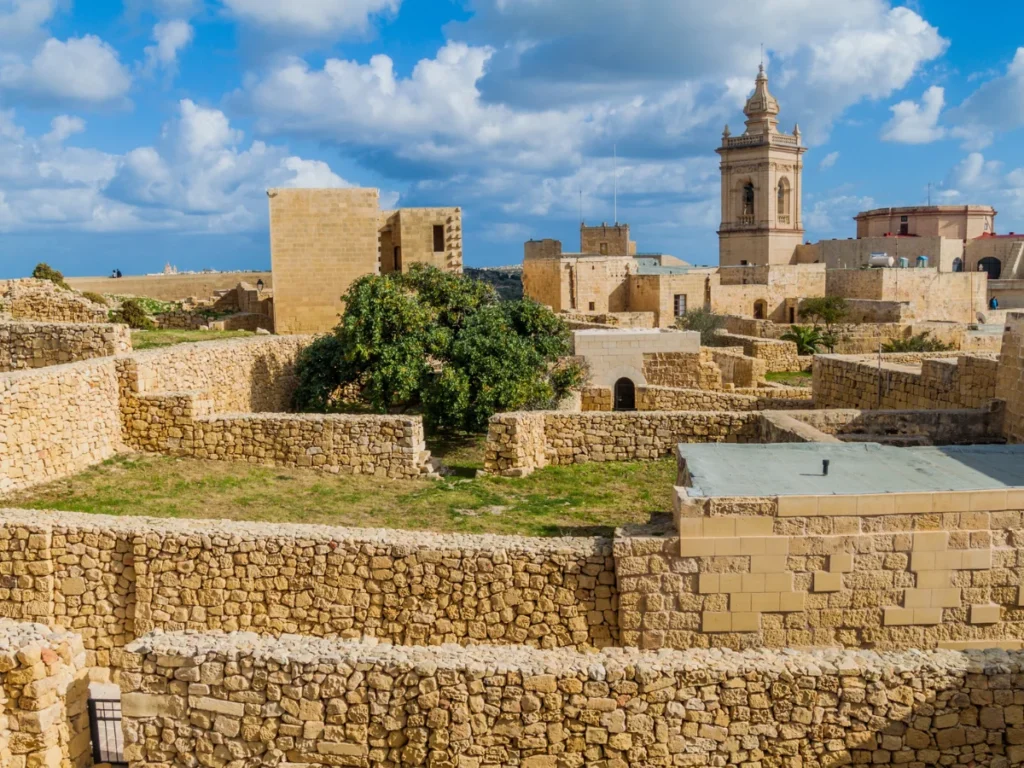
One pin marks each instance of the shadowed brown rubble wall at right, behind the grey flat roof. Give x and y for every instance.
(935, 382)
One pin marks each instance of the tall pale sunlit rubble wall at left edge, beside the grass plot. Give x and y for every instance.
(57, 421)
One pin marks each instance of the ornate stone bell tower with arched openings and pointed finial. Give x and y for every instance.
(761, 187)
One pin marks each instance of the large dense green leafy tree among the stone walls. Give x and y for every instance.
(441, 343)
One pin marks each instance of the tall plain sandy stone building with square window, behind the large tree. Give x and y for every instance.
(323, 240)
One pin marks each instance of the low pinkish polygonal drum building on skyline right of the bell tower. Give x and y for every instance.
(954, 223)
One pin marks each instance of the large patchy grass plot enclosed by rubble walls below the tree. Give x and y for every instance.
(581, 500)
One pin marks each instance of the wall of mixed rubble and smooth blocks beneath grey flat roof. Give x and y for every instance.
(883, 571)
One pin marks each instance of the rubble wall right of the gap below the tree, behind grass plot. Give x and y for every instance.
(514, 439)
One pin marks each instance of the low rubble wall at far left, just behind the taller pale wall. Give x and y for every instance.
(39, 345)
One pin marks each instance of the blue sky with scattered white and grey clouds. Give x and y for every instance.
(137, 133)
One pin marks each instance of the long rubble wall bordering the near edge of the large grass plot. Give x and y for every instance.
(113, 579)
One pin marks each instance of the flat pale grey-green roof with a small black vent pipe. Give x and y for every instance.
(795, 470)
